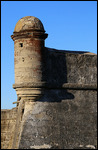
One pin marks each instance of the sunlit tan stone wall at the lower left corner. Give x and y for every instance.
(8, 119)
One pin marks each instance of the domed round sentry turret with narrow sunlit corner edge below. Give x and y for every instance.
(28, 36)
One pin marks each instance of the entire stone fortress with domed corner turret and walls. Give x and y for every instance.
(57, 94)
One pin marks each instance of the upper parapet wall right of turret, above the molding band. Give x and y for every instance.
(61, 67)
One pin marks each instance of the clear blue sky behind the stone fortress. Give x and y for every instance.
(71, 25)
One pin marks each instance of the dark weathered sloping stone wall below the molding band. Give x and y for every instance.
(66, 123)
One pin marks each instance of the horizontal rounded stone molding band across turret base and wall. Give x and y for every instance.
(74, 86)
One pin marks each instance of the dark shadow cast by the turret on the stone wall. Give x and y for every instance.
(54, 74)
